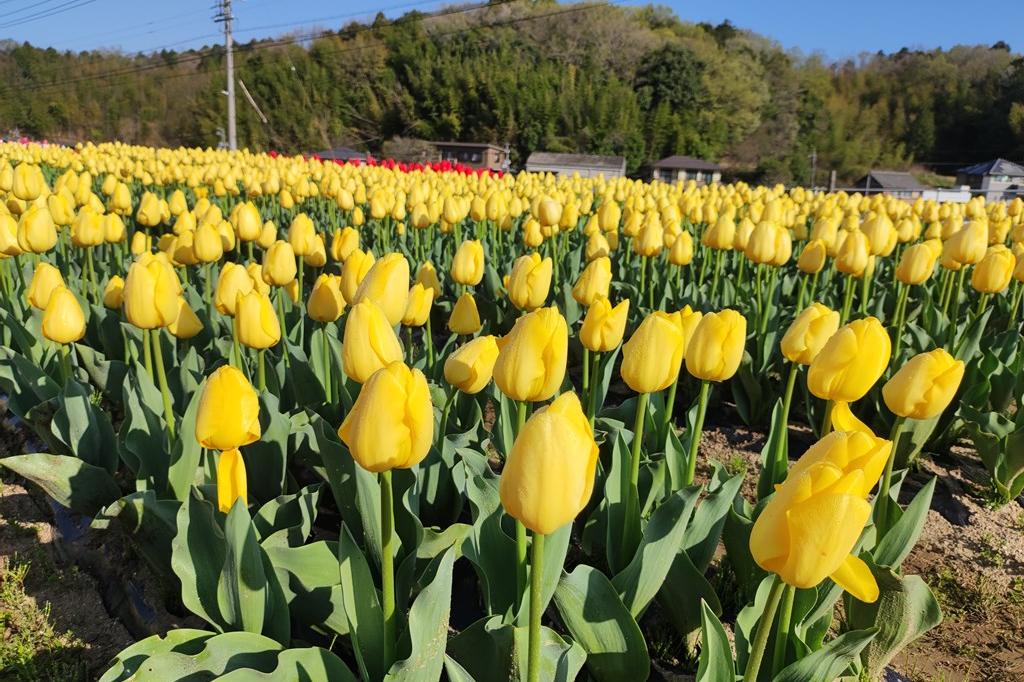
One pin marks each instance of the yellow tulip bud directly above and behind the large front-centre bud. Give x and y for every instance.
(531, 365)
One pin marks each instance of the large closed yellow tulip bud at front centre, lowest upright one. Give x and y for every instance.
(549, 476)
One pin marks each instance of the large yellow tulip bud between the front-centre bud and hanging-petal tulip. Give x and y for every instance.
(392, 424)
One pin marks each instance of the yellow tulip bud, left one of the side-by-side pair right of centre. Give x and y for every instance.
(654, 355)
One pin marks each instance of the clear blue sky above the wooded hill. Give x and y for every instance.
(836, 29)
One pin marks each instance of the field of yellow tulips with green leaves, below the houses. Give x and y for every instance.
(379, 422)
